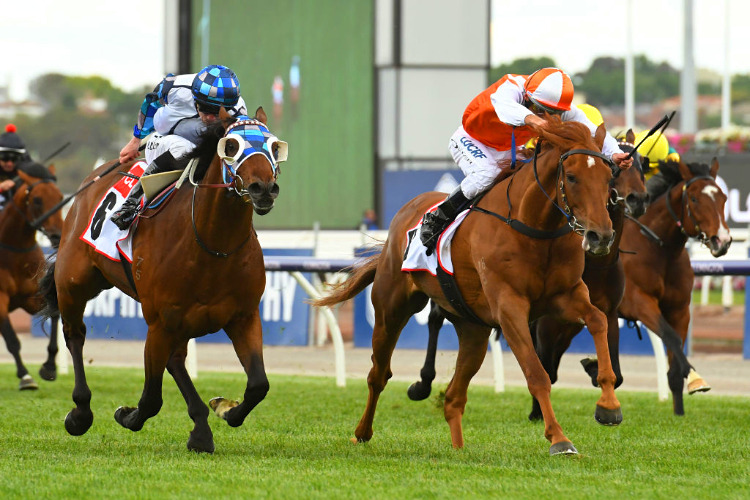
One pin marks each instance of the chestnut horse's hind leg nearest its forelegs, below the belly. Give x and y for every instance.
(472, 347)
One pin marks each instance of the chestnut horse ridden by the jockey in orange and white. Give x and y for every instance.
(505, 276)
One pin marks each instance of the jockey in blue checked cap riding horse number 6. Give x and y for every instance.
(178, 110)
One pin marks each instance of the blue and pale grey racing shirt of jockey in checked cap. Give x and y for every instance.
(170, 109)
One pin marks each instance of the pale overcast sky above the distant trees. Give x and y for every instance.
(123, 41)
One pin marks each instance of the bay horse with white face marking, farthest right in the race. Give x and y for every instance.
(659, 277)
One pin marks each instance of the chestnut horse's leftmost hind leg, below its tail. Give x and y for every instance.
(393, 308)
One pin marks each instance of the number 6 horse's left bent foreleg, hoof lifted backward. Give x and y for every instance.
(156, 354)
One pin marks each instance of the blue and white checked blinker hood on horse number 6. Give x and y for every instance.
(253, 138)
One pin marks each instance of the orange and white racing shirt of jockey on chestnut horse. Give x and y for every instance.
(497, 114)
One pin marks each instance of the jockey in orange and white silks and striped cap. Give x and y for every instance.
(495, 124)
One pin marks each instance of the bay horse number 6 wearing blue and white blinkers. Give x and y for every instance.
(197, 268)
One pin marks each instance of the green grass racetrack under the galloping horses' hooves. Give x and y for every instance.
(296, 444)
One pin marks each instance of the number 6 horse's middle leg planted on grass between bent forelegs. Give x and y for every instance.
(201, 438)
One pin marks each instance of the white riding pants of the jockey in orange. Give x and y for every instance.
(477, 161)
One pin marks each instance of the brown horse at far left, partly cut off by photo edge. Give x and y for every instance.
(22, 260)
